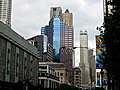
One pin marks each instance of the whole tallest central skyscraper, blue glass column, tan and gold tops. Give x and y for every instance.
(60, 34)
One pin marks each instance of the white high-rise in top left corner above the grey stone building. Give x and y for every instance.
(5, 11)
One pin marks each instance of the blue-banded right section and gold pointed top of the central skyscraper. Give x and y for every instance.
(67, 33)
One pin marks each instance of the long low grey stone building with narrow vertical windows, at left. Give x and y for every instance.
(18, 59)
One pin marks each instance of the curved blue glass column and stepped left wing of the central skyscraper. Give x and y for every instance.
(53, 32)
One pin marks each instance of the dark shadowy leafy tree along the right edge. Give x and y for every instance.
(111, 37)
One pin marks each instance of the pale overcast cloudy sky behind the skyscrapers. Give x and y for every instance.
(28, 16)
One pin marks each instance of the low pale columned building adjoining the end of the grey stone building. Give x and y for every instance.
(47, 77)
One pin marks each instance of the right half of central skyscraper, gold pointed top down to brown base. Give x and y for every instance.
(67, 40)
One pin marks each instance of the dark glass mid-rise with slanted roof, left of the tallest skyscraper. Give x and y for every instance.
(41, 43)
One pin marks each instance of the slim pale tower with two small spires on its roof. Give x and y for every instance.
(84, 64)
